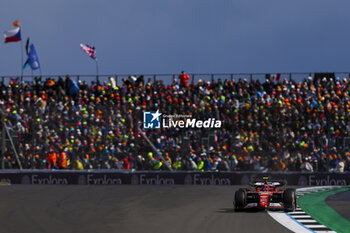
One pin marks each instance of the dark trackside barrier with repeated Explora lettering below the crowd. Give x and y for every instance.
(113, 177)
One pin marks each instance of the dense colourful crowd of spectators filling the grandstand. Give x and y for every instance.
(270, 125)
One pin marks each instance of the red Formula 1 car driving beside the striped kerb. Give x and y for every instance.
(266, 195)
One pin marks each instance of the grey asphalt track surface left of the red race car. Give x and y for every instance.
(29, 208)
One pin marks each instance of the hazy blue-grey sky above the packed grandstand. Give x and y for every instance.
(167, 36)
